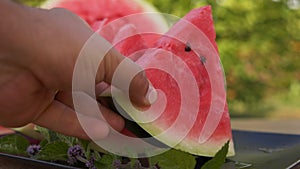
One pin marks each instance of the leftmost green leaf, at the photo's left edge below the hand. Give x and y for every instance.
(14, 144)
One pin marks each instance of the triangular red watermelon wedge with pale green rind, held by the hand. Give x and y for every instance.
(184, 67)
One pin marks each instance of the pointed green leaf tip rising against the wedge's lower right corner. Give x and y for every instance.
(218, 160)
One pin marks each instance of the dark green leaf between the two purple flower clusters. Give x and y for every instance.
(54, 151)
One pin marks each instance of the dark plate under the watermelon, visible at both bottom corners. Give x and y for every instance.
(258, 149)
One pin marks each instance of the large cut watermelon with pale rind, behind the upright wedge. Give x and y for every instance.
(100, 13)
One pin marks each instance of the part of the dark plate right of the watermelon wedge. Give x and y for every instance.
(266, 150)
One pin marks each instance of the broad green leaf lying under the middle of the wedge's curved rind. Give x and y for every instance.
(174, 159)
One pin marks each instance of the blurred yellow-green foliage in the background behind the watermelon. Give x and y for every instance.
(259, 45)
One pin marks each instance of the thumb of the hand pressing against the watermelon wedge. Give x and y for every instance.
(117, 70)
